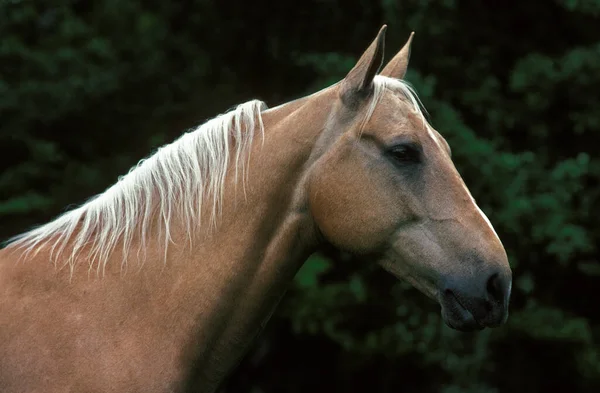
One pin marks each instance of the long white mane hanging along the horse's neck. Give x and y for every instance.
(175, 181)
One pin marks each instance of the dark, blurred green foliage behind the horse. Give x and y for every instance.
(87, 88)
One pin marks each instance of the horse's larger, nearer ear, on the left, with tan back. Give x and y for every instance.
(360, 78)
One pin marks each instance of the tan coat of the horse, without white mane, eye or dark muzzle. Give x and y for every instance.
(181, 325)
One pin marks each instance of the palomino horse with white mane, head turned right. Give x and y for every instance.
(161, 282)
